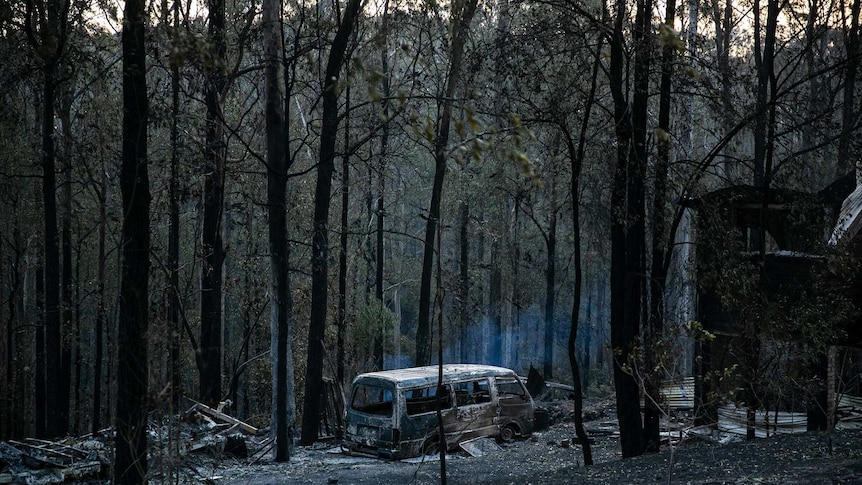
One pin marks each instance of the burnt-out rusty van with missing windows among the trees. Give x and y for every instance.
(393, 413)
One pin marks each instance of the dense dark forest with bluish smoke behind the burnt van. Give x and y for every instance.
(298, 190)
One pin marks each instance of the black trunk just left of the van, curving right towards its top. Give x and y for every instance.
(320, 238)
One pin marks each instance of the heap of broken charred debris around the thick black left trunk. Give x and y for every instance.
(200, 430)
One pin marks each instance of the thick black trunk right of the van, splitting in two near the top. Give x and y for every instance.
(627, 224)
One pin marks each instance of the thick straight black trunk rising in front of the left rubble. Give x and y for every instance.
(130, 465)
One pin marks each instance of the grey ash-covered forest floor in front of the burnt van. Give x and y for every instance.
(547, 458)
